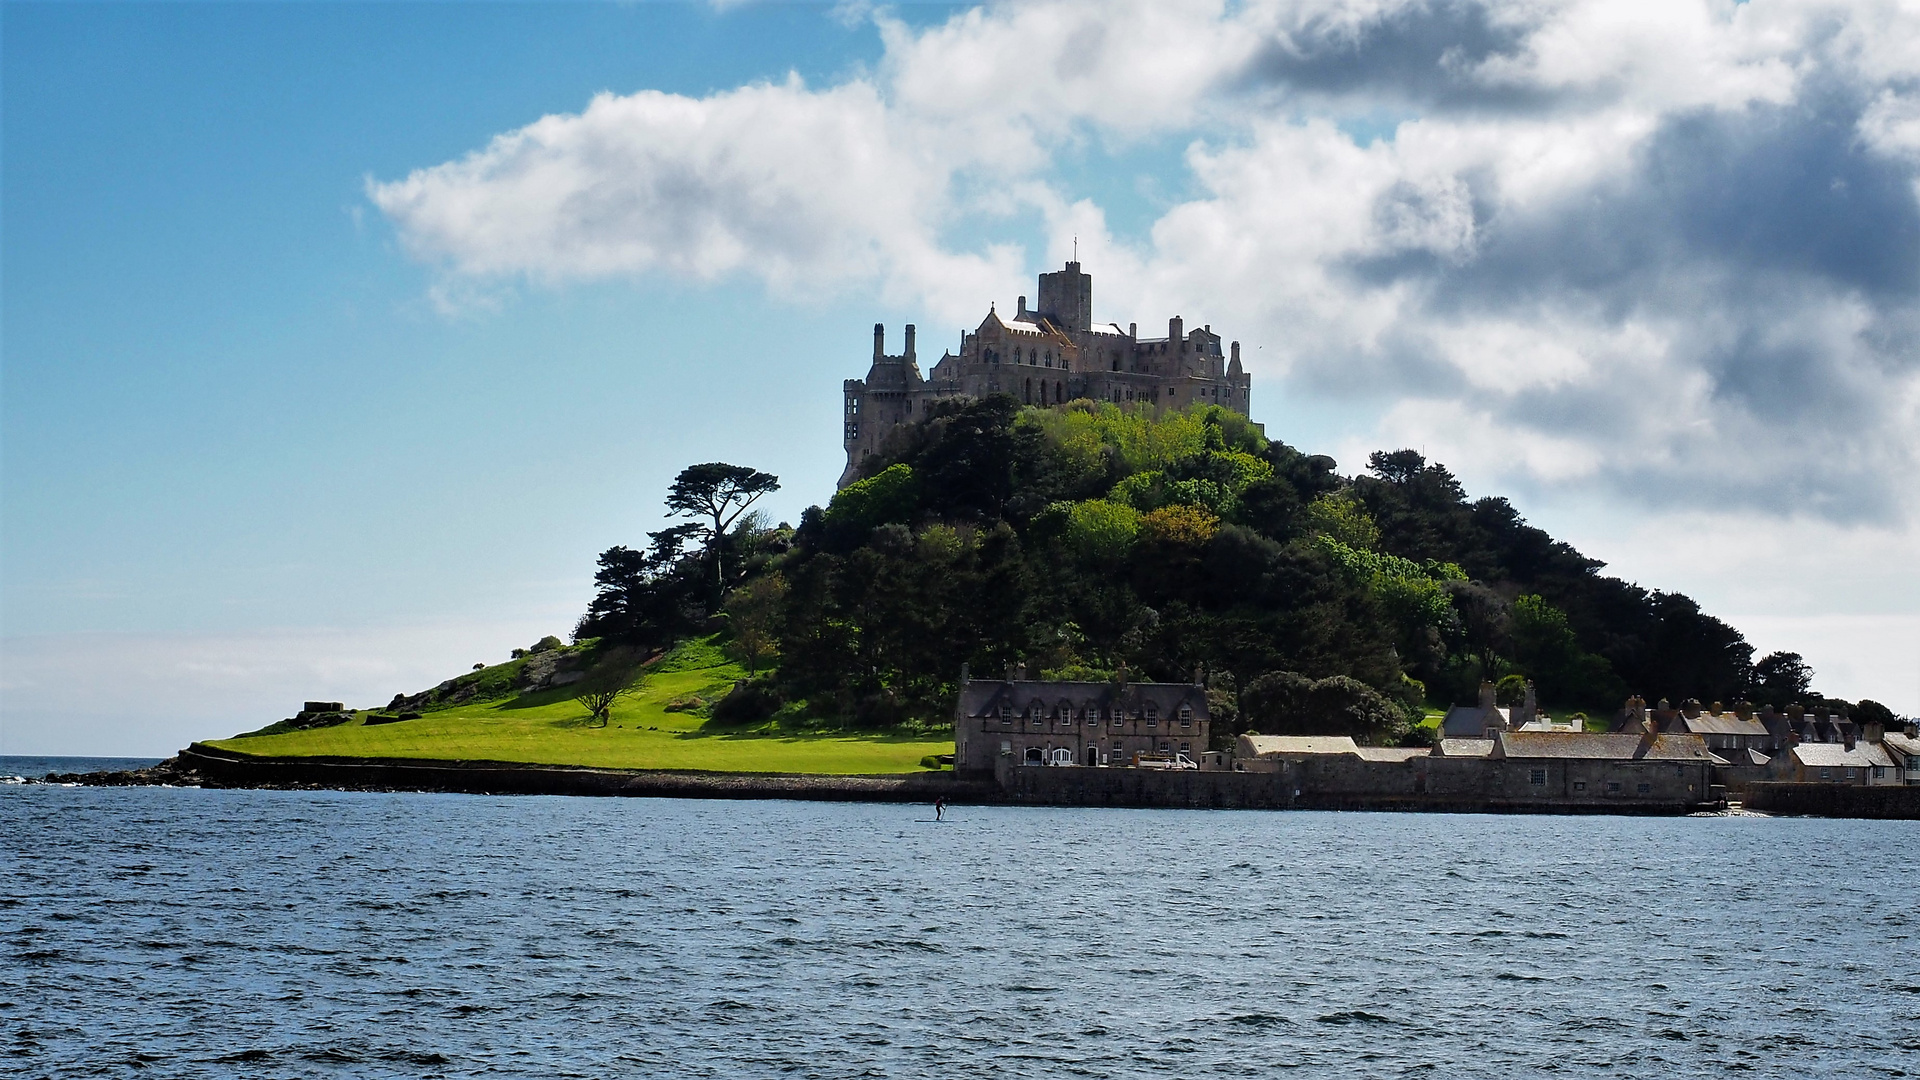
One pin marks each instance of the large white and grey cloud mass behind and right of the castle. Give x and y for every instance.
(1664, 251)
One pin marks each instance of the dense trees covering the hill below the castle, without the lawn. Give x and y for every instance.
(1097, 537)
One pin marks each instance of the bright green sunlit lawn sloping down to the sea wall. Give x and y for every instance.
(550, 729)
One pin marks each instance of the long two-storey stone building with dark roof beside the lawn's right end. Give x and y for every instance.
(1030, 722)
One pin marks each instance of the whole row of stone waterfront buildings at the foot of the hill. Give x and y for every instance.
(1489, 754)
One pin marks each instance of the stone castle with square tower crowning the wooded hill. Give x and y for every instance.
(1045, 356)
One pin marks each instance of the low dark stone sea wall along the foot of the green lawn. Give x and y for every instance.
(228, 770)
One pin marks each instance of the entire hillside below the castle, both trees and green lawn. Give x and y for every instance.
(1082, 541)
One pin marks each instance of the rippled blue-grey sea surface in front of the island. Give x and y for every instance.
(185, 933)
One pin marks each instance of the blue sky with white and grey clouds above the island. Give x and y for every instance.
(341, 337)
